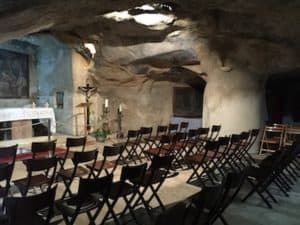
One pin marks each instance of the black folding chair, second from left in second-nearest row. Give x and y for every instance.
(40, 174)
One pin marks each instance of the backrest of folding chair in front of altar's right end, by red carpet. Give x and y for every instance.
(43, 149)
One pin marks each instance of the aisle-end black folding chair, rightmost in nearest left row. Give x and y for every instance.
(153, 180)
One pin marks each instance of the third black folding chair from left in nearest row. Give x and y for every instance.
(126, 188)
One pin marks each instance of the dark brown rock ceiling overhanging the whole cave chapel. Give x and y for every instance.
(222, 22)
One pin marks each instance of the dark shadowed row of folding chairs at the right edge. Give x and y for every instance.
(277, 173)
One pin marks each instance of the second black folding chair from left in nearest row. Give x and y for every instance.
(92, 195)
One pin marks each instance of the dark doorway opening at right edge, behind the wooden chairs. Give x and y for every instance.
(283, 98)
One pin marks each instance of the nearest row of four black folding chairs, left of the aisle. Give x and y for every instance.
(93, 194)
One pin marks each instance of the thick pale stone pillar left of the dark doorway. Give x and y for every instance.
(235, 100)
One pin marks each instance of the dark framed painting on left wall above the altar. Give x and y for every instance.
(14, 75)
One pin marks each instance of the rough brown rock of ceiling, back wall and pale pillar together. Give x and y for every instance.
(238, 43)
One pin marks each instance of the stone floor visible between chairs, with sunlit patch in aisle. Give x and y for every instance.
(176, 189)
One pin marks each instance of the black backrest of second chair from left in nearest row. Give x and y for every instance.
(89, 186)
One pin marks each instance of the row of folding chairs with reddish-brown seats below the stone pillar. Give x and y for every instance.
(210, 160)
